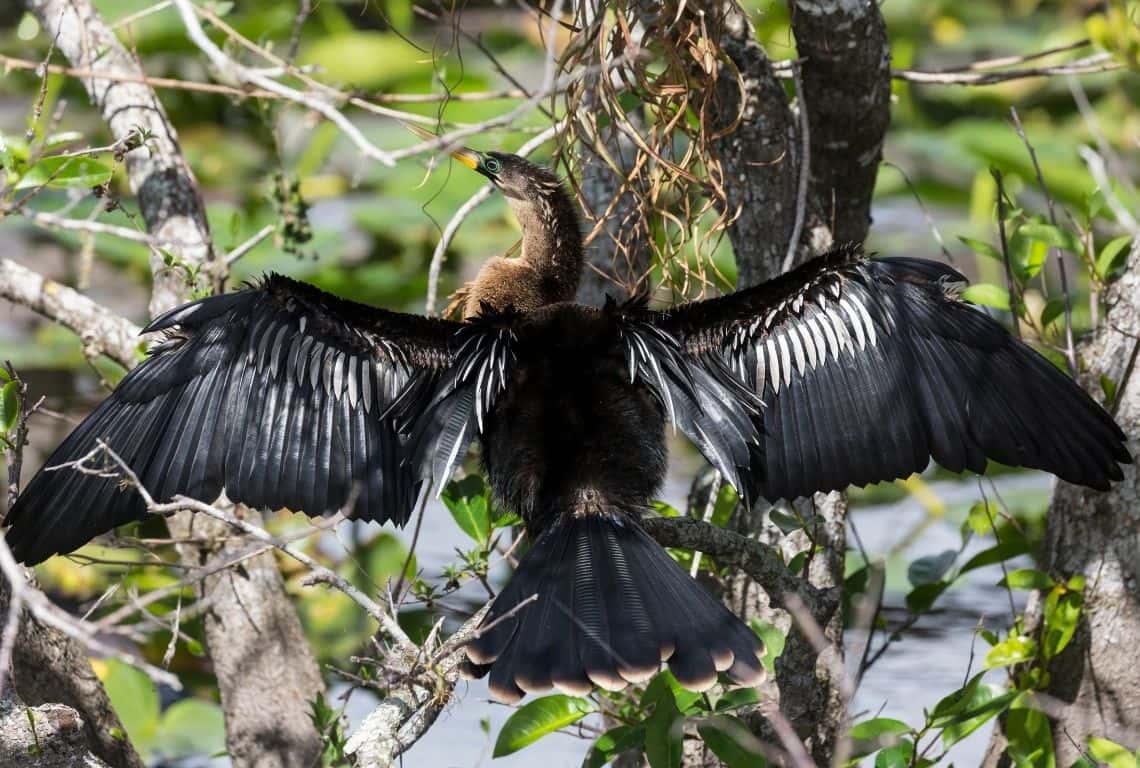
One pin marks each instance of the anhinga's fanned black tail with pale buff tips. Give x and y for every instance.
(612, 607)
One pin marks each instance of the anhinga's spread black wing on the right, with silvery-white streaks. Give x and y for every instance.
(870, 367)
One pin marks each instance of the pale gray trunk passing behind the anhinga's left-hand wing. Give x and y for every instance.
(265, 668)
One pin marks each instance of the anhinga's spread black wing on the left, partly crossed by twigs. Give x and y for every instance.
(278, 394)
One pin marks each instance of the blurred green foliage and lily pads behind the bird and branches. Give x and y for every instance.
(368, 232)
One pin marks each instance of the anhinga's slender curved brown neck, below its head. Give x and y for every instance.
(552, 241)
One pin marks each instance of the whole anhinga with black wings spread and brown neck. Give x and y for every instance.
(845, 371)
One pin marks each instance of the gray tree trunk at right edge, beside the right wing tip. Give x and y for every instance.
(1096, 680)
